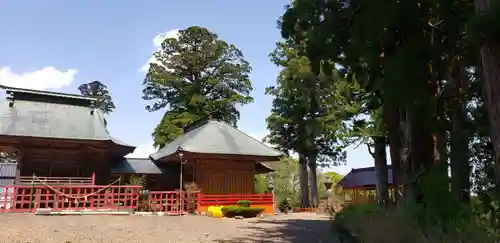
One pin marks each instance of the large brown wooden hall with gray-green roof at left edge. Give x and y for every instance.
(57, 135)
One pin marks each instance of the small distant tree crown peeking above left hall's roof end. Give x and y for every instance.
(100, 91)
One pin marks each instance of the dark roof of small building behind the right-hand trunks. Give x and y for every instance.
(363, 177)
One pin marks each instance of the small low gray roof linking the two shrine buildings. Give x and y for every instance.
(135, 166)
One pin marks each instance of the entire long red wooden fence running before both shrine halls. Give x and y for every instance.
(29, 198)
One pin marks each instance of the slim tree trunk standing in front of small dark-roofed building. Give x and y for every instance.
(380, 157)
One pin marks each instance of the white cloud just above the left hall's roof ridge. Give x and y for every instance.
(43, 79)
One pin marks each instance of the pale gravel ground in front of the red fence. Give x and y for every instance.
(294, 228)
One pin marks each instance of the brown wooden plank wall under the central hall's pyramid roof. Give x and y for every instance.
(224, 176)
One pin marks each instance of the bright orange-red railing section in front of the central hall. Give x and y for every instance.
(232, 199)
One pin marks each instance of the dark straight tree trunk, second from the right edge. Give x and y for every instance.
(459, 151)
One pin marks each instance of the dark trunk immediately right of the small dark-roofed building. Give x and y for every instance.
(392, 118)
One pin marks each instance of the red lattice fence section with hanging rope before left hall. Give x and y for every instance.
(57, 198)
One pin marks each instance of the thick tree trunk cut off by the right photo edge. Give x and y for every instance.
(490, 62)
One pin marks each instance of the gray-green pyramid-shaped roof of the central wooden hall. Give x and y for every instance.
(216, 137)
